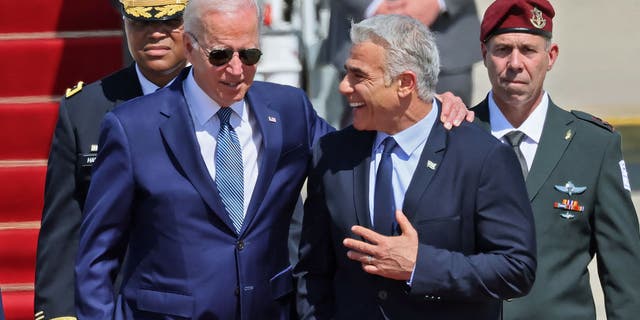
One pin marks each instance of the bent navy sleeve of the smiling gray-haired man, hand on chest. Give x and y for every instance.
(503, 263)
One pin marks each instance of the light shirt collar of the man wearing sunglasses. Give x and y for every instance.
(202, 106)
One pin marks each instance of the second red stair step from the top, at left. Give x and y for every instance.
(37, 67)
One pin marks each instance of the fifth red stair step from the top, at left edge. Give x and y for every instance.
(18, 255)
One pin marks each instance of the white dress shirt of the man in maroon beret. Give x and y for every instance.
(531, 127)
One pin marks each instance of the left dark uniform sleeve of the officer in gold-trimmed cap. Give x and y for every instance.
(58, 237)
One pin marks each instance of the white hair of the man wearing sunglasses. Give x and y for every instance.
(196, 10)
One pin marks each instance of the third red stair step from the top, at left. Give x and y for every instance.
(26, 129)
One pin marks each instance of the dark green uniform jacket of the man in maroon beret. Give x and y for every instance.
(576, 151)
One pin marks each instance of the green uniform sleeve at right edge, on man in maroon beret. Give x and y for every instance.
(617, 237)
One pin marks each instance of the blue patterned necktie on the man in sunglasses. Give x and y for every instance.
(229, 170)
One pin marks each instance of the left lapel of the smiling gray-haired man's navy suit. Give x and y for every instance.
(363, 147)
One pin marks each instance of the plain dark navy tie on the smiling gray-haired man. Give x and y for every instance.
(384, 206)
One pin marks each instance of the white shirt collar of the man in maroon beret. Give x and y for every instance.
(531, 126)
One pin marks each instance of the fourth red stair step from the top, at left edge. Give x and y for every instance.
(21, 193)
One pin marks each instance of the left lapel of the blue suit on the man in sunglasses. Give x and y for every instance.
(178, 133)
